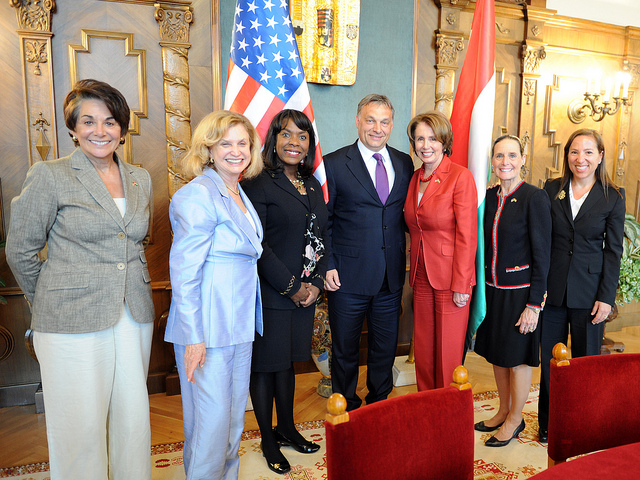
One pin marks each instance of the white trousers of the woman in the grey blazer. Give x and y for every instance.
(96, 401)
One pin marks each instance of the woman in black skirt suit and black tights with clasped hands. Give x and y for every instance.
(291, 207)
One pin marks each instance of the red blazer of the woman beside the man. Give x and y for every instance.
(444, 226)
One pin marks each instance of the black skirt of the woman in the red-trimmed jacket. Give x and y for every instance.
(498, 339)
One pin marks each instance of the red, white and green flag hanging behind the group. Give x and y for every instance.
(472, 122)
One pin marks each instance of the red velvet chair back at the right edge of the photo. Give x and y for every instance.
(594, 403)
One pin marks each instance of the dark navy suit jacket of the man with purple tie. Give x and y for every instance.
(367, 237)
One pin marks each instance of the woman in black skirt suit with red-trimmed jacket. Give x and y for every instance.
(517, 229)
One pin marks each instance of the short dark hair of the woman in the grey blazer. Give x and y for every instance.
(96, 90)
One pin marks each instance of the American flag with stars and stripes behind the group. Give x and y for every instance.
(265, 72)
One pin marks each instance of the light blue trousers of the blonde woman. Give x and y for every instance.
(213, 411)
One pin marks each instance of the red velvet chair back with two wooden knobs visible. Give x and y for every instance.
(424, 435)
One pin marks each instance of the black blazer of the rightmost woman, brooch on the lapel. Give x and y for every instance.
(585, 252)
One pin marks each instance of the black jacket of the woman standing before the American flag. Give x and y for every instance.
(284, 213)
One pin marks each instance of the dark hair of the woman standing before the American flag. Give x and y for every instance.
(278, 123)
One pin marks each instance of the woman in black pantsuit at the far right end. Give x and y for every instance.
(587, 212)
